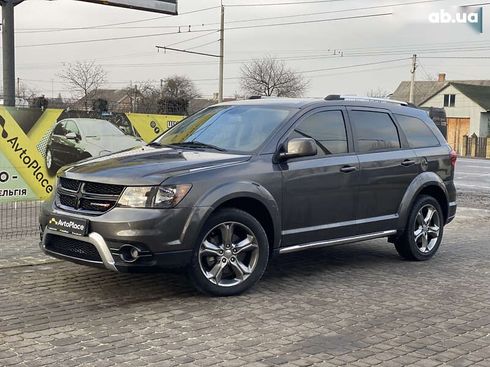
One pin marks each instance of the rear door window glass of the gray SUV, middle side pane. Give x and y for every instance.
(374, 131)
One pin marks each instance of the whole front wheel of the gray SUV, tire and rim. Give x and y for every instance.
(231, 254)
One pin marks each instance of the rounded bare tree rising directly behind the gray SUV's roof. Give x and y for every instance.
(271, 77)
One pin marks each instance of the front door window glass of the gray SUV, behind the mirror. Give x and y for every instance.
(327, 128)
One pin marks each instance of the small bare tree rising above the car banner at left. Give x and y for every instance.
(84, 78)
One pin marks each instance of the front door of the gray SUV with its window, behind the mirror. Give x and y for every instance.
(320, 191)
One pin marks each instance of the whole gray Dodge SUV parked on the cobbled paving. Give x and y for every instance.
(231, 186)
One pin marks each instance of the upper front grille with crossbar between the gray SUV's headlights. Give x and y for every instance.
(90, 197)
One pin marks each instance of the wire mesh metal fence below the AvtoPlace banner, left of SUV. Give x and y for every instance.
(19, 219)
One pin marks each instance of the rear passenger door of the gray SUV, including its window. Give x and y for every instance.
(387, 167)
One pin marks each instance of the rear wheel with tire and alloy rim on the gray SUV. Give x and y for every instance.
(423, 232)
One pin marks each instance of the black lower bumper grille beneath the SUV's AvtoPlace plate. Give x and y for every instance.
(72, 247)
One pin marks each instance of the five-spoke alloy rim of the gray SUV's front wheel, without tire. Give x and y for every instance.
(228, 254)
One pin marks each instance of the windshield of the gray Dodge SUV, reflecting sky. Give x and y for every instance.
(235, 128)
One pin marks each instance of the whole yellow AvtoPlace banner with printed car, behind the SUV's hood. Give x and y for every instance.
(35, 143)
